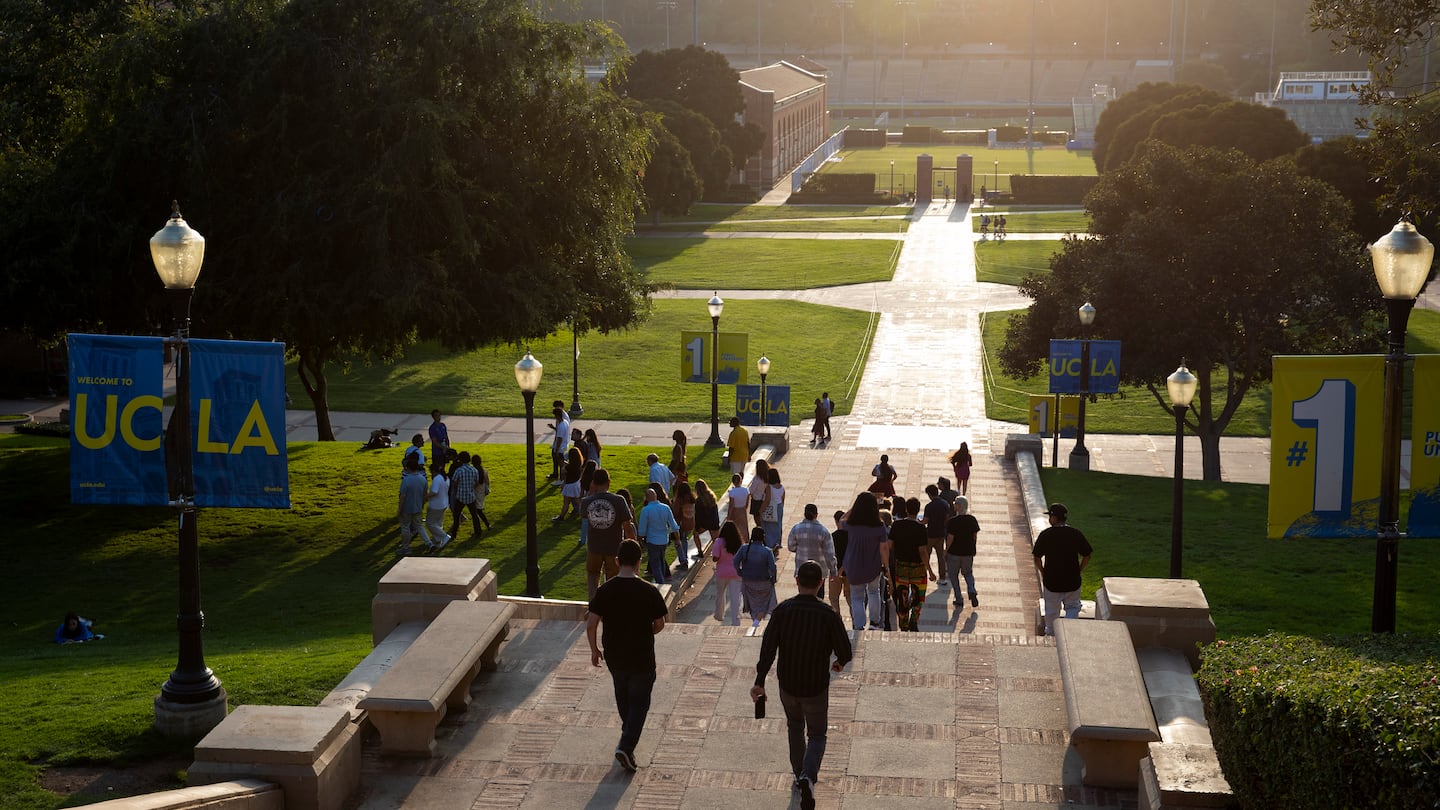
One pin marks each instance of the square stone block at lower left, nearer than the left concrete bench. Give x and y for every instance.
(312, 753)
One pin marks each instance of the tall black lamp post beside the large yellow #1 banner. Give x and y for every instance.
(1402, 262)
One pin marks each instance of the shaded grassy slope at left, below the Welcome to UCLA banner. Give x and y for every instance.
(286, 593)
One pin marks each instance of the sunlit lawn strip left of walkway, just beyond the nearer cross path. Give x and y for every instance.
(764, 264)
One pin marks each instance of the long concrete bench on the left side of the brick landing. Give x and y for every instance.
(434, 675)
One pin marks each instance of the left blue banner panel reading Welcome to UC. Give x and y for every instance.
(117, 422)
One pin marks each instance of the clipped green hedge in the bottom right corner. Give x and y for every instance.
(1347, 721)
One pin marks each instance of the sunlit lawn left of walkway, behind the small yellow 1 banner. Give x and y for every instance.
(630, 375)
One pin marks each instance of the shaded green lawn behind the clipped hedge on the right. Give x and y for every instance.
(1307, 587)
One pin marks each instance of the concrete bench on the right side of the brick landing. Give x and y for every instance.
(1107, 707)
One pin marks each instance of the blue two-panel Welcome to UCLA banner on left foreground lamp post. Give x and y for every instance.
(237, 422)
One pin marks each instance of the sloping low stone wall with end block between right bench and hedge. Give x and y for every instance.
(1182, 770)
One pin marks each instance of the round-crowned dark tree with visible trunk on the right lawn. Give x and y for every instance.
(1212, 259)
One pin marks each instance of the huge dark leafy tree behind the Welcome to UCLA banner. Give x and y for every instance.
(368, 174)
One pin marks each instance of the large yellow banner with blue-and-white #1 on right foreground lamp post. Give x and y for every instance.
(1326, 436)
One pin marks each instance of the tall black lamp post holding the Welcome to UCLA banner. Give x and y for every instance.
(192, 701)
